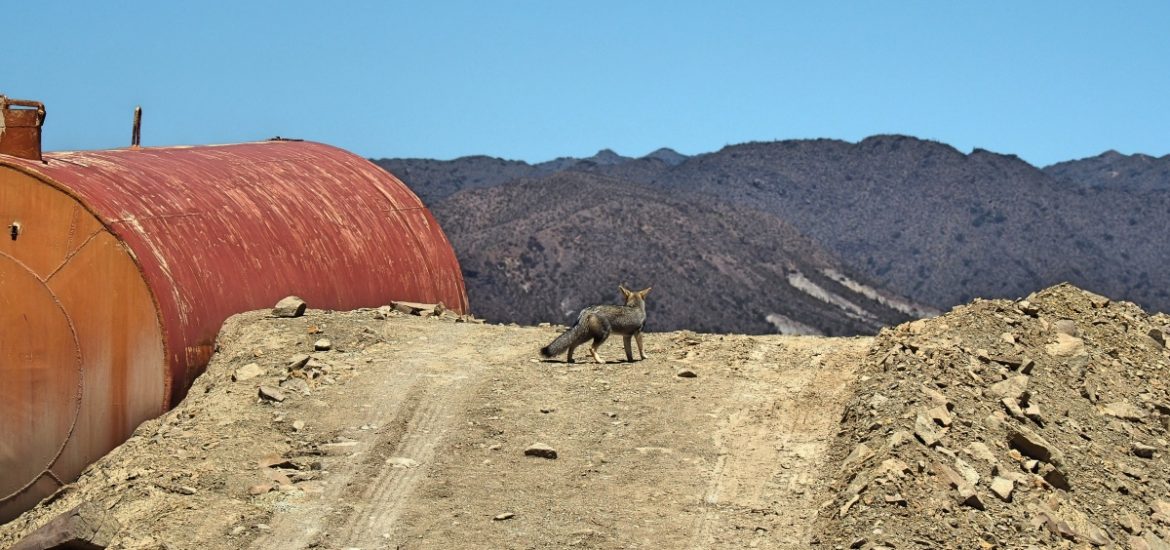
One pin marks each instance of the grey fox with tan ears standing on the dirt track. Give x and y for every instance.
(597, 322)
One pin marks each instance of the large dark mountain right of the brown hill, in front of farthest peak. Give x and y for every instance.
(928, 222)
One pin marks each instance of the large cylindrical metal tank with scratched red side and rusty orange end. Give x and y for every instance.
(118, 270)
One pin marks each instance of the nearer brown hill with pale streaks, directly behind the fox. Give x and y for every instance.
(540, 250)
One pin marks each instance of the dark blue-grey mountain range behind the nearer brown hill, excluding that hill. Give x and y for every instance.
(914, 217)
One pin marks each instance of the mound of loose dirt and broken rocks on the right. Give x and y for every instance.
(1042, 422)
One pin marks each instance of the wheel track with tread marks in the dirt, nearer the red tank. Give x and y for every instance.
(409, 408)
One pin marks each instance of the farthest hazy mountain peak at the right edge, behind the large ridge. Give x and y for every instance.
(1111, 169)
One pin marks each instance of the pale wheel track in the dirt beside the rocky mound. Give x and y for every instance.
(772, 446)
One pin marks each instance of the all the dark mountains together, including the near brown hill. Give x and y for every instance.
(815, 237)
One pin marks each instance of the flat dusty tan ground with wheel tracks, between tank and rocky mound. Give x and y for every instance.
(411, 432)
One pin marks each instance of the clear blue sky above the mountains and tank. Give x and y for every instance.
(538, 80)
